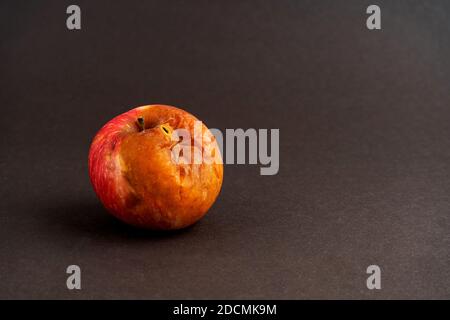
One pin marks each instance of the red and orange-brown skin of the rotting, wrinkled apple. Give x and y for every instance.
(135, 178)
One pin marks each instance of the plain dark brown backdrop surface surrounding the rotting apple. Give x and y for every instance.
(364, 118)
